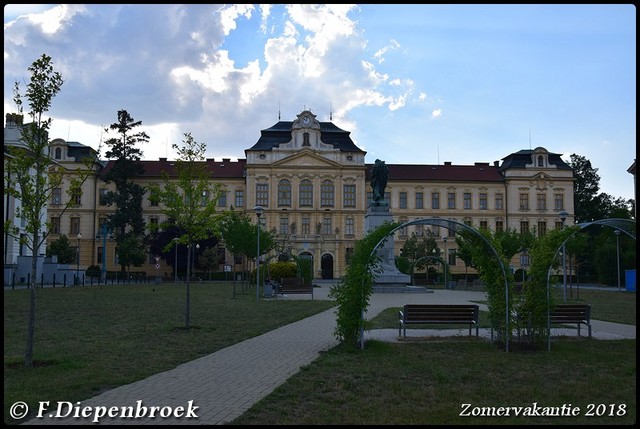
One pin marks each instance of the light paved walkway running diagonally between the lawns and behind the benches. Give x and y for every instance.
(224, 384)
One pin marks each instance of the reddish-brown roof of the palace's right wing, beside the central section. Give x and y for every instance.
(480, 171)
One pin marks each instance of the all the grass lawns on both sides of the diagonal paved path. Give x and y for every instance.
(91, 339)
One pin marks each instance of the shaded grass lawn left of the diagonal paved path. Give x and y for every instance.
(92, 339)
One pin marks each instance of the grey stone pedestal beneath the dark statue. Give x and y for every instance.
(390, 276)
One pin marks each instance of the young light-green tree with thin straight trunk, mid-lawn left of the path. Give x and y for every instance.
(189, 202)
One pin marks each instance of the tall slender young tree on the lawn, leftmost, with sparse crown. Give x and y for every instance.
(31, 175)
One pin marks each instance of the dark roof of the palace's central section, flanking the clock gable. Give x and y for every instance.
(329, 134)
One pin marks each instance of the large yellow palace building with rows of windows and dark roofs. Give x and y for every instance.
(314, 185)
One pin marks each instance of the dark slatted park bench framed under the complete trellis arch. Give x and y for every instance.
(420, 314)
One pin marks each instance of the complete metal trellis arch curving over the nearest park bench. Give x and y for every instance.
(456, 227)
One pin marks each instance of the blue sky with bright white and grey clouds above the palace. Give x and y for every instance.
(413, 84)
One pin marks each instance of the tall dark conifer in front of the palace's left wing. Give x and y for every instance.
(126, 222)
